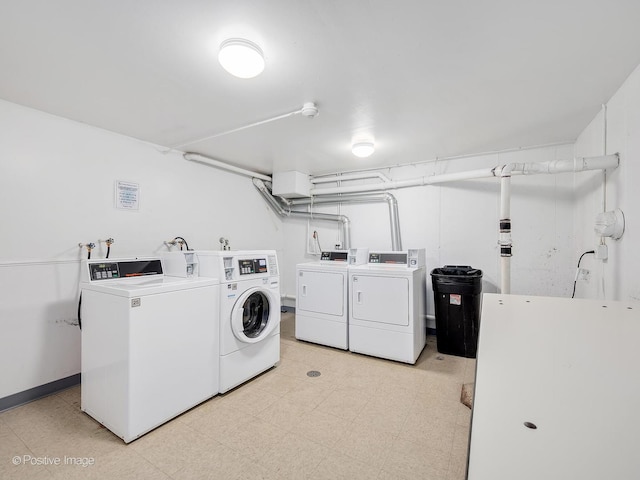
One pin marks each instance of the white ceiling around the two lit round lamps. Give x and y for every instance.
(427, 79)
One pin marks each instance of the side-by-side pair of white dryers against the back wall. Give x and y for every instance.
(368, 302)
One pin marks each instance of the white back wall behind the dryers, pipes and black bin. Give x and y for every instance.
(457, 223)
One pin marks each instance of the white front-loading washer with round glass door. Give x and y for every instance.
(249, 312)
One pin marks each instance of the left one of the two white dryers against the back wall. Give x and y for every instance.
(322, 297)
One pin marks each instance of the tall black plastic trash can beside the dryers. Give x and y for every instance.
(456, 291)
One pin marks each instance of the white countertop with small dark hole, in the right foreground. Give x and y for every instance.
(572, 368)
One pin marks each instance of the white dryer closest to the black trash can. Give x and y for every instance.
(387, 305)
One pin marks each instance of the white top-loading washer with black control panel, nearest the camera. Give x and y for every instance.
(149, 344)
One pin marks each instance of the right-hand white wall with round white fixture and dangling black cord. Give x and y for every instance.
(616, 278)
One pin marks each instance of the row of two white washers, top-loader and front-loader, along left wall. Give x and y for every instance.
(156, 345)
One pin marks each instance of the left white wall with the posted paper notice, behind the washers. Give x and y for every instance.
(57, 190)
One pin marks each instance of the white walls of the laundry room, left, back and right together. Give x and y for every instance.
(57, 185)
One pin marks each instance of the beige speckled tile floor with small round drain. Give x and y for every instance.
(362, 418)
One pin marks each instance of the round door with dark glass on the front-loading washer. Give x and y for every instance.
(255, 315)
